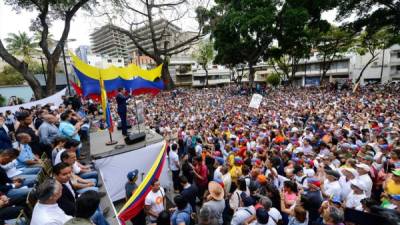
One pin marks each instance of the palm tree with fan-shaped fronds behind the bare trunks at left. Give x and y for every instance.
(22, 45)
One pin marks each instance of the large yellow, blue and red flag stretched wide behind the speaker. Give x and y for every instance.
(131, 78)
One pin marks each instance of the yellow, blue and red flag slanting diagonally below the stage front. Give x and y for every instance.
(136, 203)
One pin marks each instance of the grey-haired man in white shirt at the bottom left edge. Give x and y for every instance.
(46, 210)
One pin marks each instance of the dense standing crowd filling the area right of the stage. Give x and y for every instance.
(305, 156)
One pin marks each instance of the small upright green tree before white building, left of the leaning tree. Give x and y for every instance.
(331, 45)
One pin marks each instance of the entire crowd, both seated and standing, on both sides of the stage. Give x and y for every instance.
(306, 156)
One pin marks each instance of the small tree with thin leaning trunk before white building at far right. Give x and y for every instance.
(367, 43)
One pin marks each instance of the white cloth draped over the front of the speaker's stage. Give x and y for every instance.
(116, 167)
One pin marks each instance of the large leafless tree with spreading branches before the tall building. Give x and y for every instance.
(156, 15)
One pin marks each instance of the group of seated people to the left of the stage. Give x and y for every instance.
(44, 176)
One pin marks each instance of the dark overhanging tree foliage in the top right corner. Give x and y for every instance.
(372, 15)
